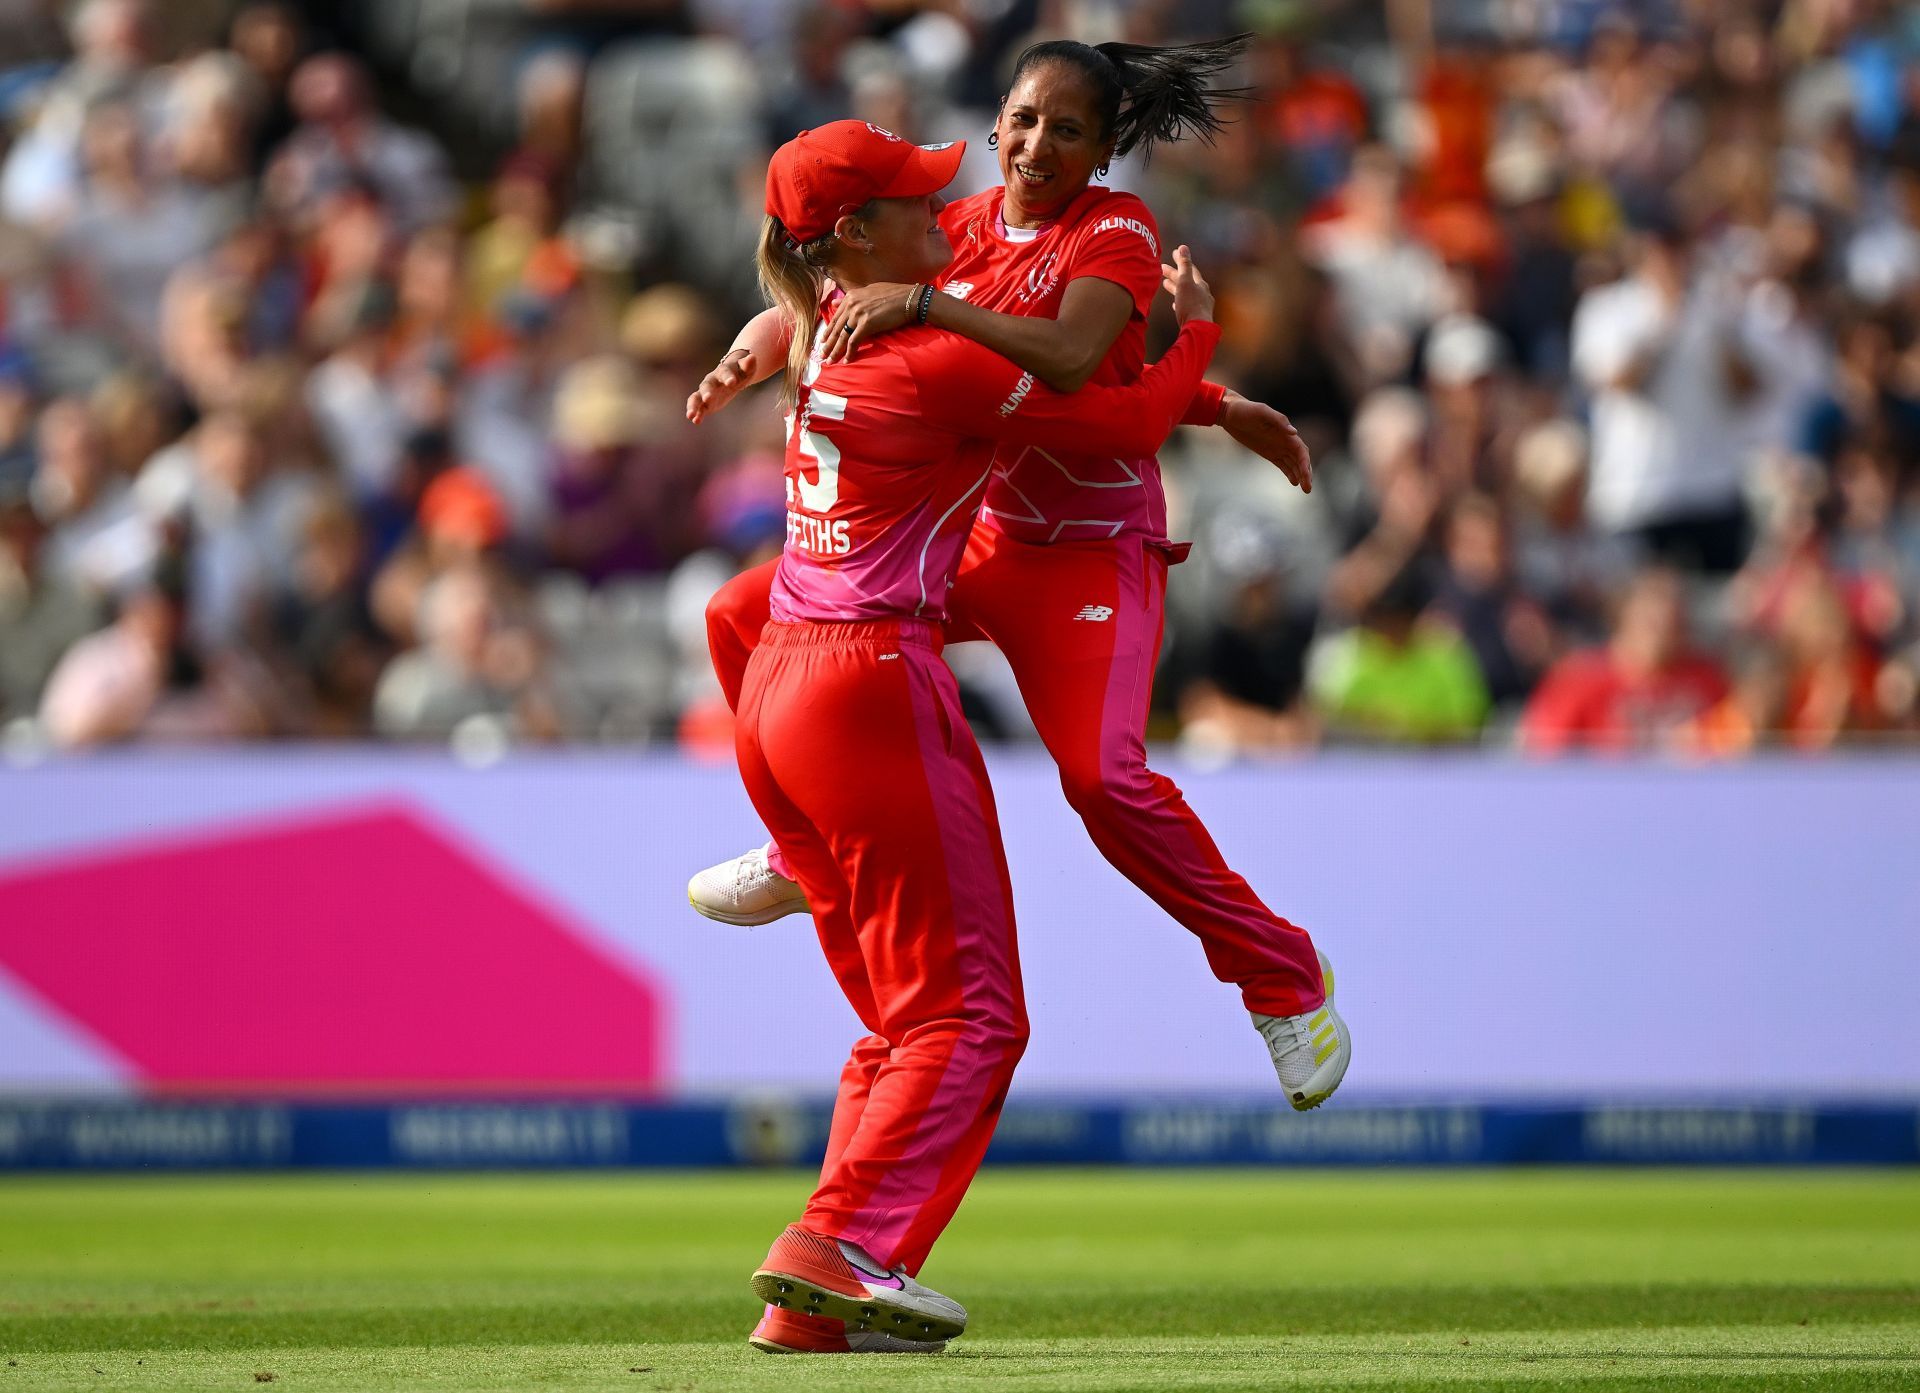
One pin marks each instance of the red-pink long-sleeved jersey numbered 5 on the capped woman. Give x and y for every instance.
(888, 458)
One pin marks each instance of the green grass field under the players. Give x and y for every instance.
(1076, 1281)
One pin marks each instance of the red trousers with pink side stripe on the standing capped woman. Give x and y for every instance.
(855, 755)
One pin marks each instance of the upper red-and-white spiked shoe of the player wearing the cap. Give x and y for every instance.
(825, 1277)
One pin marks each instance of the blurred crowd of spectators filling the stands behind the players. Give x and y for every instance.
(343, 358)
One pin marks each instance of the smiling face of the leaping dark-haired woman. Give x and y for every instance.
(1051, 143)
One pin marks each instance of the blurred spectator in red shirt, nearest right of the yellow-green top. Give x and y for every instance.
(1641, 692)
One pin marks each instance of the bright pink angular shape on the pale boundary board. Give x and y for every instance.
(362, 953)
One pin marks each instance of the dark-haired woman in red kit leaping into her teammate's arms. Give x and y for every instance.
(1068, 565)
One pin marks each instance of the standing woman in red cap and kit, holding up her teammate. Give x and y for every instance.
(852, 740)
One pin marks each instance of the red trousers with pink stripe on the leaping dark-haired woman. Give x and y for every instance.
(1082, 626)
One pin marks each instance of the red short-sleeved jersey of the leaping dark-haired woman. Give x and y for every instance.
(1080, 492)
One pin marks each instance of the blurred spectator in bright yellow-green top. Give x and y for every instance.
(1395, 678)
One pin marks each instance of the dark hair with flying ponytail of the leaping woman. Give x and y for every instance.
(1149, 95)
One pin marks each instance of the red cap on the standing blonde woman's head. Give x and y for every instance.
(828, 172)
